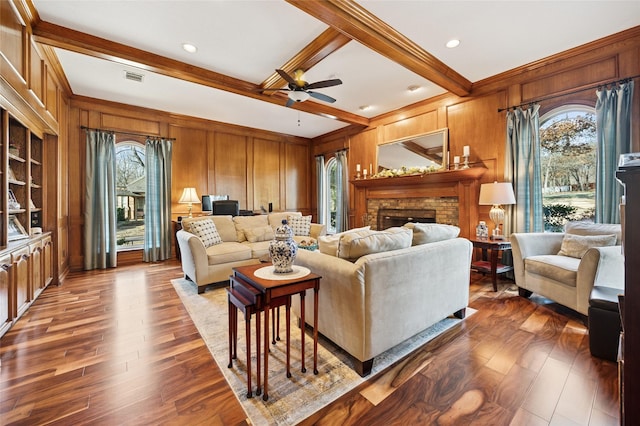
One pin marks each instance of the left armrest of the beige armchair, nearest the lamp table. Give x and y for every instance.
(525, 245)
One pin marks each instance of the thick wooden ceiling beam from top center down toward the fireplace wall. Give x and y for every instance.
(359, 24)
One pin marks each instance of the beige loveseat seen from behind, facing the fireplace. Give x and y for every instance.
(370, 300)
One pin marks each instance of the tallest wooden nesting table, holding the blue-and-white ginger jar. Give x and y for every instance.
(273, 291)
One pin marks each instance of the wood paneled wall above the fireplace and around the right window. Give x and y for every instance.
(567, 78)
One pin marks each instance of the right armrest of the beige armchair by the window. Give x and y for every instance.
(602, 266)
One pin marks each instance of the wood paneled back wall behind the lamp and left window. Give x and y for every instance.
(255, 167)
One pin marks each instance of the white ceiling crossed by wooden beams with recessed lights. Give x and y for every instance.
(378, 48)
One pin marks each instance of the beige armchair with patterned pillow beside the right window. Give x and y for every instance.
(568, 279)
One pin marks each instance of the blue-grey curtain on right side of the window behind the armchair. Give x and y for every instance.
(613, 137)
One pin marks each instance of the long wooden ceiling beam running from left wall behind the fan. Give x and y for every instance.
(54, 35)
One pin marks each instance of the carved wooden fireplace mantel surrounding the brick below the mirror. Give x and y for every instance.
(463, 184)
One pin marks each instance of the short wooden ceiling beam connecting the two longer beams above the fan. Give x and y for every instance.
(321, 47)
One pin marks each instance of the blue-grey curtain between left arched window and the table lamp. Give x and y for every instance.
(157, 218)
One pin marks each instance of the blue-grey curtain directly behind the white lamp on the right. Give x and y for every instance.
(523, 170)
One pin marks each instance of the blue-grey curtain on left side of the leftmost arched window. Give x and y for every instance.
(100, 247)
